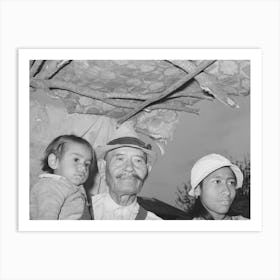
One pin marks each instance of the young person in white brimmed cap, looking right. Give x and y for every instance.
(214, 180)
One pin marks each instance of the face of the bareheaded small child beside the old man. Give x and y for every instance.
(74, 163)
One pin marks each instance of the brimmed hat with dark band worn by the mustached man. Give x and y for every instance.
(125, 136)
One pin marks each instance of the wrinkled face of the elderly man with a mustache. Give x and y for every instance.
(126, 170)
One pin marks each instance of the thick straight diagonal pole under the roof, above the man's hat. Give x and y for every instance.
(168, 91)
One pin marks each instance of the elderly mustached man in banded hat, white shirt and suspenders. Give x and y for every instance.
(124, 163)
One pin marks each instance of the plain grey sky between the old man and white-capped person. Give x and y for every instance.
(217, 129)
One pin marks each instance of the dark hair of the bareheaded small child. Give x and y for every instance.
(57, 147)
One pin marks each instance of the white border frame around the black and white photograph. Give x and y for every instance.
(254, 55)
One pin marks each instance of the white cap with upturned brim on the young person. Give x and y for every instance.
(208, 164)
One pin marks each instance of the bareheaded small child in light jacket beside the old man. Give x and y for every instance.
(59, 193)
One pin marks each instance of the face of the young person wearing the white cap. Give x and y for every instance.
(218, 192)
